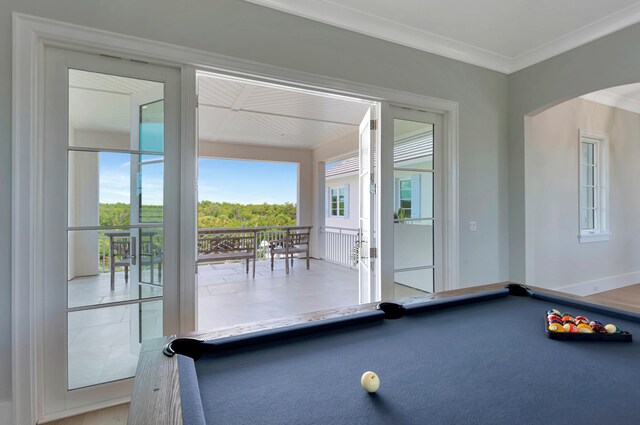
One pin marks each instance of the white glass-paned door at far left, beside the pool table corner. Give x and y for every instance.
(112, 173)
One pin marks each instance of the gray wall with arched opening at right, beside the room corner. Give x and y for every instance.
(610, 61)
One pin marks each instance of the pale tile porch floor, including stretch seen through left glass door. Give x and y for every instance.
(101, 348)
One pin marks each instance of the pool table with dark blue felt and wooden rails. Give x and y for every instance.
(480, 358)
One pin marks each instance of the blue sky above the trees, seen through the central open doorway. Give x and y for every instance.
(247, 182)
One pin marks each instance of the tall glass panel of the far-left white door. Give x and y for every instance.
(115, 242)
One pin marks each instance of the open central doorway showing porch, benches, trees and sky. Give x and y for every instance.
(263, 204)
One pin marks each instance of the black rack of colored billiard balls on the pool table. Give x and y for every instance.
(565, 326)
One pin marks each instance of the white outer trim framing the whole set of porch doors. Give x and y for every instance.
(30, 36)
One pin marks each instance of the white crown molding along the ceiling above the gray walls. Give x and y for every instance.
(337, 15)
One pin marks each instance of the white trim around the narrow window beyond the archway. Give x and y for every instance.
(601, 232)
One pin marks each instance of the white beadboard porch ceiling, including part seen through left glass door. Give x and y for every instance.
(230, 110)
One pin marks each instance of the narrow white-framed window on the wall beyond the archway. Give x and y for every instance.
(594, 188)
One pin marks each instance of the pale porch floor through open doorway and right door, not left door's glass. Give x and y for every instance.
(228, 296)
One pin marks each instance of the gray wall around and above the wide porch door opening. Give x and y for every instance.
(247, 31)
